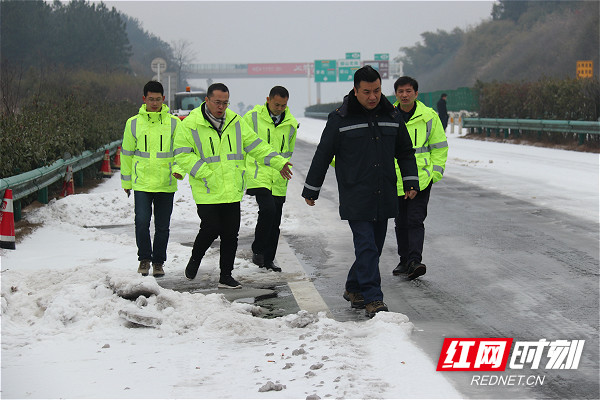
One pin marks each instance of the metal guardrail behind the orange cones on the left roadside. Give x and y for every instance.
(39, 179)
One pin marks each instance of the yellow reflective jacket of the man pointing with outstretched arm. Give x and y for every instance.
(216, 163)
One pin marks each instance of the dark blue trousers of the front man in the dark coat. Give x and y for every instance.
(364, 276)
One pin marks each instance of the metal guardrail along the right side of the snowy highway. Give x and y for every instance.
(581, 128)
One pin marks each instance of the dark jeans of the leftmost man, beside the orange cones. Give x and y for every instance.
(163, 207)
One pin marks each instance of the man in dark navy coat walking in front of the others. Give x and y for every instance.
(366, 135)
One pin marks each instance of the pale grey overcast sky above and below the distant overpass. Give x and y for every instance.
(242, 32)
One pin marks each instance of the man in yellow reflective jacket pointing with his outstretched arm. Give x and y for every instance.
(211, 146)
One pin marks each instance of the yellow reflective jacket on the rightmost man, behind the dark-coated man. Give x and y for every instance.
(430, 144)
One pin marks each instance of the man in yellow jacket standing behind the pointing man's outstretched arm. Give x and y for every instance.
(273, 123)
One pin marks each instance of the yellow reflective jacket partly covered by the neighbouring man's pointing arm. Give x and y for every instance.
(281, 138)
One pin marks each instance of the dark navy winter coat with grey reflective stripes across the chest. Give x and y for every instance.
(365, 145)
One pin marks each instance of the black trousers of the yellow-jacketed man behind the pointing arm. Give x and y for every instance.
(266, 233)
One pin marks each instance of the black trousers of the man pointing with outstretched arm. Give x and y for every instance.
(218, 220)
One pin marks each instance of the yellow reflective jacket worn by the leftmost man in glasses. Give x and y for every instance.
(147, 161)
